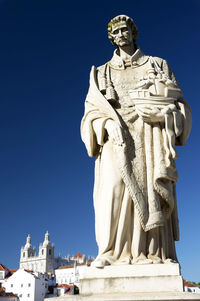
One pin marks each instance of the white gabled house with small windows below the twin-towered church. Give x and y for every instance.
(27, 286)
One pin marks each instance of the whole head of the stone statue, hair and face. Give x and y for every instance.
(122, 30)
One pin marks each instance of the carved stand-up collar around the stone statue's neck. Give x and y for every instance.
(136, 60)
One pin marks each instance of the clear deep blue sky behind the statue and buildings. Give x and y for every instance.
(47, 50)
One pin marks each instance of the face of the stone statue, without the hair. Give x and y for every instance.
(122, 34)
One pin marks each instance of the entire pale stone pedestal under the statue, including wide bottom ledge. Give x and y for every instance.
(152, 282)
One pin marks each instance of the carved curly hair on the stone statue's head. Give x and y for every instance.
(120, 19)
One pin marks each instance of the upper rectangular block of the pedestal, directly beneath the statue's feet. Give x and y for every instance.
(131, 279)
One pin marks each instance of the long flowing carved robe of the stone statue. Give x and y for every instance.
(134, 192)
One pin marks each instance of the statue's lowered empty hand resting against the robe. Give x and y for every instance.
(114, 131)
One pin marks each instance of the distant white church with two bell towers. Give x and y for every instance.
(44, 262)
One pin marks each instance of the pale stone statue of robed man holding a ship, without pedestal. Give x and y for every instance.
(135, 115)
